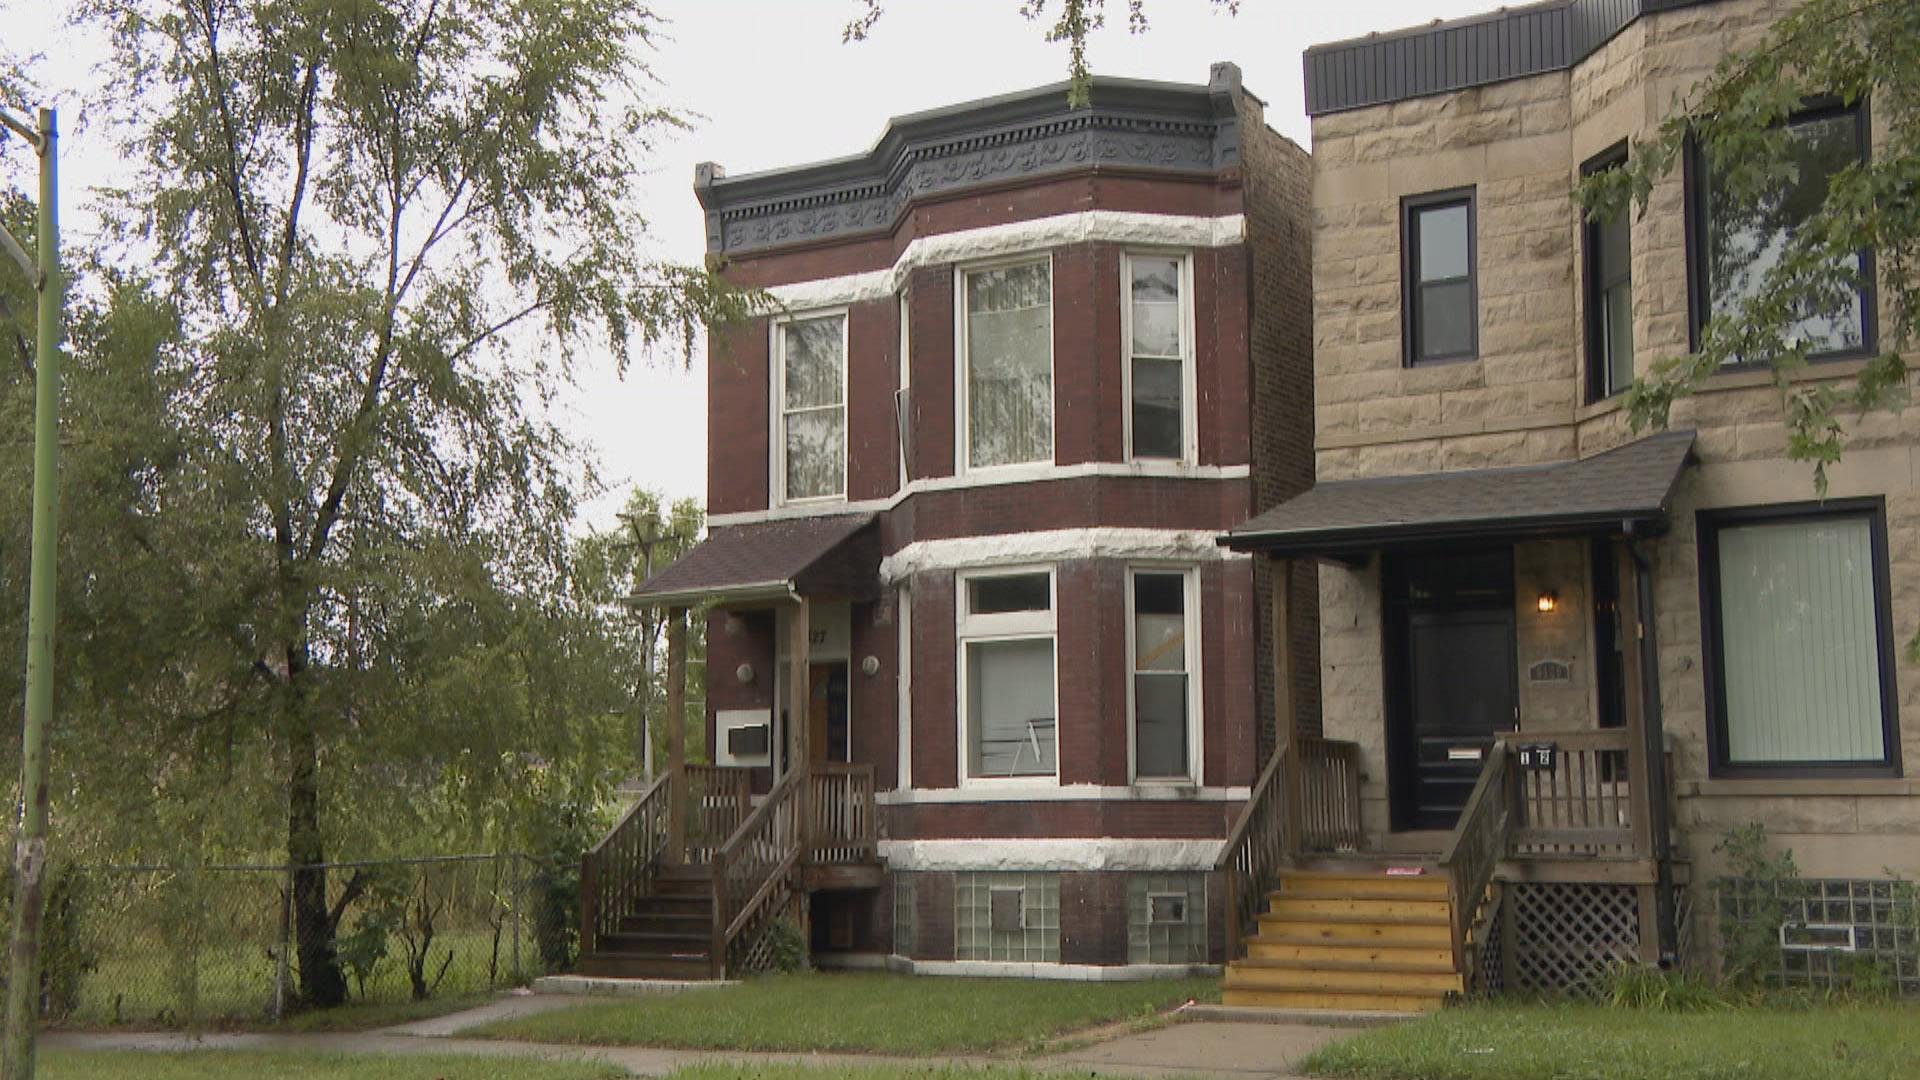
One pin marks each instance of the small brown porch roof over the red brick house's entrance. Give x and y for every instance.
(773, 560)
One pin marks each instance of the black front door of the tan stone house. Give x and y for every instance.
(1452, 679)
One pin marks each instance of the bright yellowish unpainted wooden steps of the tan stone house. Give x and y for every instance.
(1351, 939)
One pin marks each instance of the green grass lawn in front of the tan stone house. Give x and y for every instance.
(1589, 1043)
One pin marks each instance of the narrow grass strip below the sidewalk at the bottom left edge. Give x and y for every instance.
(283, 1066)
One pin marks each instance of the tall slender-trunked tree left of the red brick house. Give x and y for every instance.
(383, 232)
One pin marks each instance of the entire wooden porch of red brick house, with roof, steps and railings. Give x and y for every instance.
(696, 877)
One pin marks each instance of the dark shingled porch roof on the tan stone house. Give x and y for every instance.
(1604, 493)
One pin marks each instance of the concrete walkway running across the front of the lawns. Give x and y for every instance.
(1201, 1050)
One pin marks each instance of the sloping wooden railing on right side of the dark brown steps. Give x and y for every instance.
(754, 870)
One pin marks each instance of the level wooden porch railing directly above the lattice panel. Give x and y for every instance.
(1587, 804)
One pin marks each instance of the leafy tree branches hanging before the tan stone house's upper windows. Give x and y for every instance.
(1850, 51)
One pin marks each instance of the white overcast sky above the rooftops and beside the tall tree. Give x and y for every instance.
(775, 87)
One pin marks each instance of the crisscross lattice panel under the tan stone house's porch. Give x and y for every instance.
(1568, 937)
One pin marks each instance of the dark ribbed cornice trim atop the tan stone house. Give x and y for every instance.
(1512, 43)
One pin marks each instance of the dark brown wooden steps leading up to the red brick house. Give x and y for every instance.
(667, 933)
